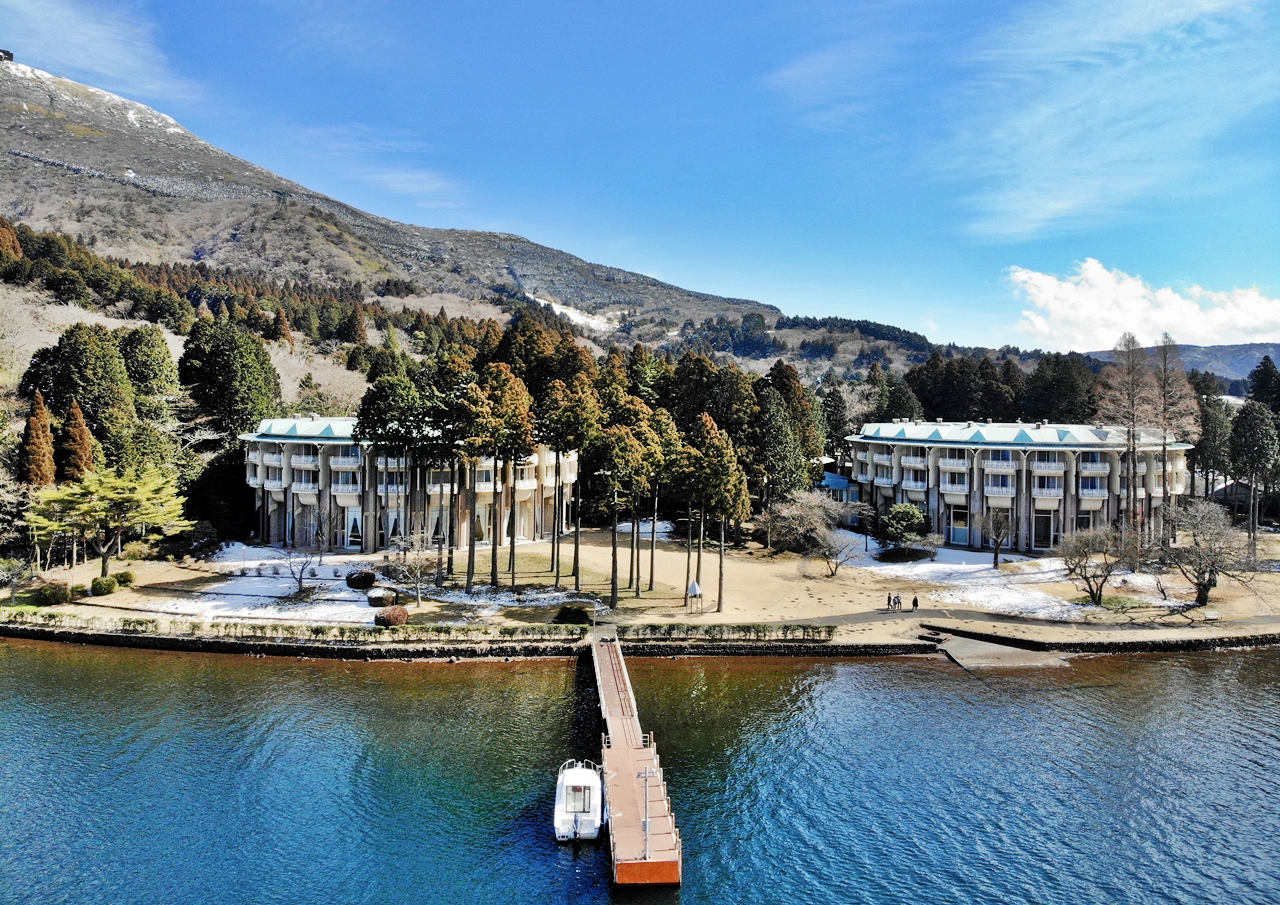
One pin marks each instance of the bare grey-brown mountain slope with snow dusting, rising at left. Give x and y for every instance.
(135, 184)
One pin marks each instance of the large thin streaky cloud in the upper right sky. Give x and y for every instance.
(1077, 109)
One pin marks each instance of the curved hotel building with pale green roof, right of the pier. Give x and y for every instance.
(1052, 478)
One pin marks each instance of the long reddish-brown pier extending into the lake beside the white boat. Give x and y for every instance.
(643, 837)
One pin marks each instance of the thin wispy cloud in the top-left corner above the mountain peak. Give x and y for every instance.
(108, 45)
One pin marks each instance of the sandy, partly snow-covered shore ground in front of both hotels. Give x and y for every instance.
(1032, 595)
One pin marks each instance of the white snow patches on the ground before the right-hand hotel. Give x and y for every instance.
(970, 581)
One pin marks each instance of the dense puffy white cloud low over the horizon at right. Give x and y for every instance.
(1090, 310)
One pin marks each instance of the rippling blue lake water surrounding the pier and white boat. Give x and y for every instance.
(148, 778)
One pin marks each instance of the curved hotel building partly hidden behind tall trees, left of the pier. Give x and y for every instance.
(312, 478)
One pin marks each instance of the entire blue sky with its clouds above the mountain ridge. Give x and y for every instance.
(945, 167)
